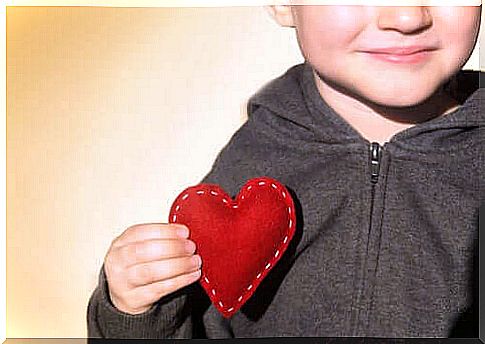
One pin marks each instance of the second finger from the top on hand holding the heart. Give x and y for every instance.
(152, 250)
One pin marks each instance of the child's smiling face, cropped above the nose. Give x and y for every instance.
(340, 42)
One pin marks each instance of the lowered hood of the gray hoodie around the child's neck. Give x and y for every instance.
(294, 97)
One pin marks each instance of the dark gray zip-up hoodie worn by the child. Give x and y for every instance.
(386, 239)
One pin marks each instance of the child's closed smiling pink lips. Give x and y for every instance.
(401, 55)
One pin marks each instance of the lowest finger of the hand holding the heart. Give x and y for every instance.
(150, 293)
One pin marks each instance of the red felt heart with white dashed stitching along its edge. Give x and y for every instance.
(240, 240)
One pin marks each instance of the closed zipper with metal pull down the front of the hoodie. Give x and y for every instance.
(375, 152)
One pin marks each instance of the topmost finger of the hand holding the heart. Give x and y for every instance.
(151, 231)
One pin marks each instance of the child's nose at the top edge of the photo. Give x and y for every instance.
(405, 19)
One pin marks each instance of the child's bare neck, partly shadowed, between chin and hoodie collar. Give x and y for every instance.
(378, 123)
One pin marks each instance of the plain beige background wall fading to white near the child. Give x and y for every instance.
(110, 114)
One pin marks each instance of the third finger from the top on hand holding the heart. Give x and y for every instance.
(147, 273)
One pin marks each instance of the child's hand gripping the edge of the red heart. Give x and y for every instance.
(147, 262)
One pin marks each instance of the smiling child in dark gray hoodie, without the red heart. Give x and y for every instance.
(376, 136)
